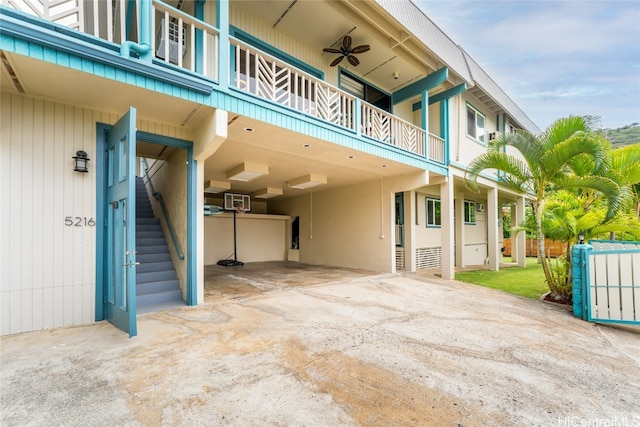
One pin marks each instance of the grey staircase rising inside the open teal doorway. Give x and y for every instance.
(157, 286)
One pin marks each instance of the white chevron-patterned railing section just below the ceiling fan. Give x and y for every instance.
(267, 77)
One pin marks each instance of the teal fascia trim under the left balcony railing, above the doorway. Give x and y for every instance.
(27, 35)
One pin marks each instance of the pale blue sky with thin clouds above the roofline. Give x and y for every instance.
(553, 58)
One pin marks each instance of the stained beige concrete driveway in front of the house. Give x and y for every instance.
(329, 347)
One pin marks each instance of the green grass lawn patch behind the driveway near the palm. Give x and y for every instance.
(527, 282)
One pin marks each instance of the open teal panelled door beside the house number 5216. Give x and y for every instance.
(120, 244)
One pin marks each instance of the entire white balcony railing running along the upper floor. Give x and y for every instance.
(180, 41)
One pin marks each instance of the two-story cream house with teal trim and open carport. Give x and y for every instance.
(339, 130)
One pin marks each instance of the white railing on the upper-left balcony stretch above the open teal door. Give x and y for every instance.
(108, 21)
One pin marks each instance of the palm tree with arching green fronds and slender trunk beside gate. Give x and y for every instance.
(544, 163)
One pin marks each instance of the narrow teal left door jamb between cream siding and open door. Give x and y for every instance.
(99, 168)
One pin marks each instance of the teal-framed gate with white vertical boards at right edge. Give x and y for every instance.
(606, 281)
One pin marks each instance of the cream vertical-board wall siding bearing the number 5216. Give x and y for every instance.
(48, 269)
